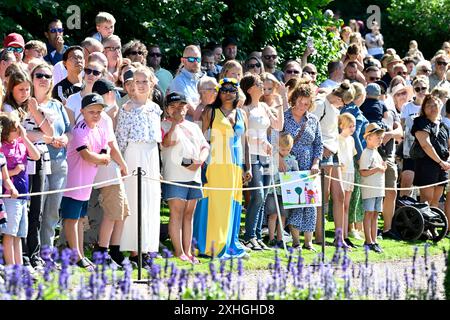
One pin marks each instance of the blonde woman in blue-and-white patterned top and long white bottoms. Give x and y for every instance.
(138, 133)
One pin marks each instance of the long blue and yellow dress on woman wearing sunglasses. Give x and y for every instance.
(217, 216)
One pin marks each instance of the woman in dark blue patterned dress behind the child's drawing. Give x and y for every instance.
(301, 124)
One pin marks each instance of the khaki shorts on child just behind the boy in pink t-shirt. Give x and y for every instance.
(114, 202)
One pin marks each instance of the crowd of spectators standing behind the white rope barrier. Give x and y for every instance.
(92, 113)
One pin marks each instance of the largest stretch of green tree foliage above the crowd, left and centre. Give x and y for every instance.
(173, 24)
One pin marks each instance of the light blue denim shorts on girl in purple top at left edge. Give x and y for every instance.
(17, 224)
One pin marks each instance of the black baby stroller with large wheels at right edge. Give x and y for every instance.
(417, 220)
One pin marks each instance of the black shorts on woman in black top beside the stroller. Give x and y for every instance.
(428, 172)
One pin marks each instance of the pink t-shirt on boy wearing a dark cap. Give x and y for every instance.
(81, 172)
